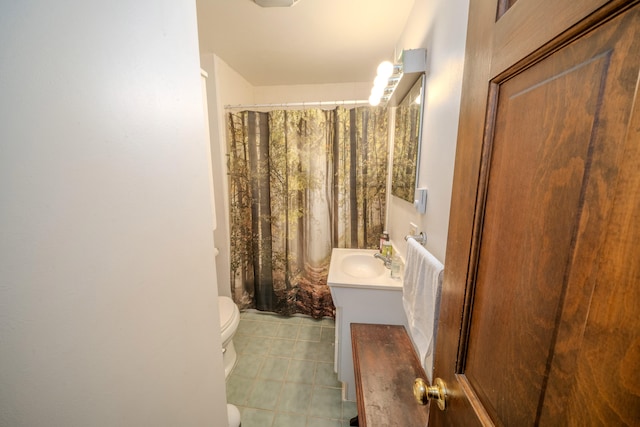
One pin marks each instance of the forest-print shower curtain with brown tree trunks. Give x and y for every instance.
(301, 182)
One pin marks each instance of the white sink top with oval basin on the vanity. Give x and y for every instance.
(359, 268)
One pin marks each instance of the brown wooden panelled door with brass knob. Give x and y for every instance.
(540, 317)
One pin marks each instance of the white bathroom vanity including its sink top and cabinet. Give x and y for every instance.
(363, 292)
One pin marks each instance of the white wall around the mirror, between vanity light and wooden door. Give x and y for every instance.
(440, 27)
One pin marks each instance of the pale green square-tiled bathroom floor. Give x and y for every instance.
(284, 375)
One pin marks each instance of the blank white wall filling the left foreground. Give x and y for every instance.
(108, 303)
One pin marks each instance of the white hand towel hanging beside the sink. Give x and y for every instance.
(421, 299)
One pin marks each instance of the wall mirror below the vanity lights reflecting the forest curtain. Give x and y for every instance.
(406, 142)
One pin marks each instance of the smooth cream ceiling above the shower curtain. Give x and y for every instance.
(312, 42)
